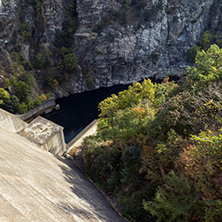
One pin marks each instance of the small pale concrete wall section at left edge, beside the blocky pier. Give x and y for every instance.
(11, 122)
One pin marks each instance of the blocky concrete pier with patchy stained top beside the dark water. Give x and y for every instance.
(48, 135)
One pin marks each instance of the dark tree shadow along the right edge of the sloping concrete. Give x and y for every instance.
(96, 207)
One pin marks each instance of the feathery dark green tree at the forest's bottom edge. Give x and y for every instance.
(173, 202)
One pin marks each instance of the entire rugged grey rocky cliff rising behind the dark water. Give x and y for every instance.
(116, 41)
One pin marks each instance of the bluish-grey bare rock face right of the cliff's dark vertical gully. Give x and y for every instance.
(123, 54)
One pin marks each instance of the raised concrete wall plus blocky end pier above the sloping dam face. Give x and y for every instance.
(44, 133)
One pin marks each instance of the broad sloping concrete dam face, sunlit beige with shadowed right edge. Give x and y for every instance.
(37, 186)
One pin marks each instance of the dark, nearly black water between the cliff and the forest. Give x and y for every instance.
(78, 110)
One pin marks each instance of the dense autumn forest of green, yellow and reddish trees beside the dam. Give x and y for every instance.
(158, 149)
